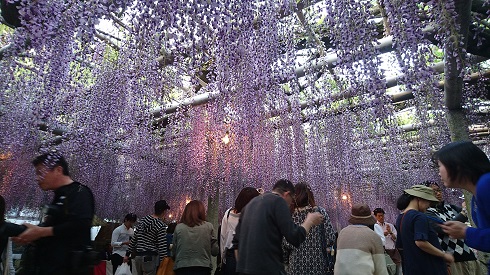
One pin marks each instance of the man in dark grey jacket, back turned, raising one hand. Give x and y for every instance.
(263, 224)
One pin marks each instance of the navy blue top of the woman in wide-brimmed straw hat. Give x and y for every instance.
(415, 227)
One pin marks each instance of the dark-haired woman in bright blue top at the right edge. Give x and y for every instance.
(463, 165)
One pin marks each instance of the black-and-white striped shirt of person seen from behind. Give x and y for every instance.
(150, 237)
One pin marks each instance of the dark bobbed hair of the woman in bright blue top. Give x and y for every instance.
(463, 160)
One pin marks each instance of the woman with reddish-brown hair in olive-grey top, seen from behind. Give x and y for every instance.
(194, 242)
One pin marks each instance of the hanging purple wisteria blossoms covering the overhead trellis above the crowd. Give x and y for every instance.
(57, 74)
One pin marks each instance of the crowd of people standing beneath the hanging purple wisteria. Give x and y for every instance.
(282, 231)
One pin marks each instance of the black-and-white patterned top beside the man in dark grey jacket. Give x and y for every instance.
(311, 257)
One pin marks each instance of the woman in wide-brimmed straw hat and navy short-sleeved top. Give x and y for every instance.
(417, 241)
